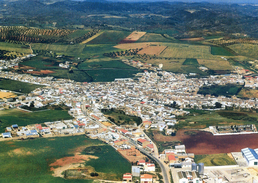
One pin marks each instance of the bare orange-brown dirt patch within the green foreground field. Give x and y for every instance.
(69, 162)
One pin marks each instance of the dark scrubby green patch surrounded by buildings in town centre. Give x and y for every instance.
(120, 118)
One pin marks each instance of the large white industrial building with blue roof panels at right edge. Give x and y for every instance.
(251, 156)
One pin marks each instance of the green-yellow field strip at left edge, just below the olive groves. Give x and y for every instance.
(15, 47)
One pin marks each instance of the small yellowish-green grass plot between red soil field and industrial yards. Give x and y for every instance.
(214, 160)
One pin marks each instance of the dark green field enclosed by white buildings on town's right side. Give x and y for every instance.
(217, 90)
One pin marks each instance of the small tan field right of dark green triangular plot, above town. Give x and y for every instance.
(215, 64)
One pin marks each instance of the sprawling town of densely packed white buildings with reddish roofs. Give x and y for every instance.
(149, 96)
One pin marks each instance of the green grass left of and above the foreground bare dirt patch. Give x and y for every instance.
(34, 167)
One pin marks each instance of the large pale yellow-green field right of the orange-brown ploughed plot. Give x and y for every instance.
(177, 50)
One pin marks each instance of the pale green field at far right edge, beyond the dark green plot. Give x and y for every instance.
(248, 50)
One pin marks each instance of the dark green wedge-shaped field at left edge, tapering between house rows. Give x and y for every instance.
(17, 86)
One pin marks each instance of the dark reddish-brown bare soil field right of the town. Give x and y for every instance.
(206, 143)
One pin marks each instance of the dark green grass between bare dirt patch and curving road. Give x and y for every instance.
(109, 162)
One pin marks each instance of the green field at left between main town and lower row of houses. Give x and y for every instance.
(16, 116)
